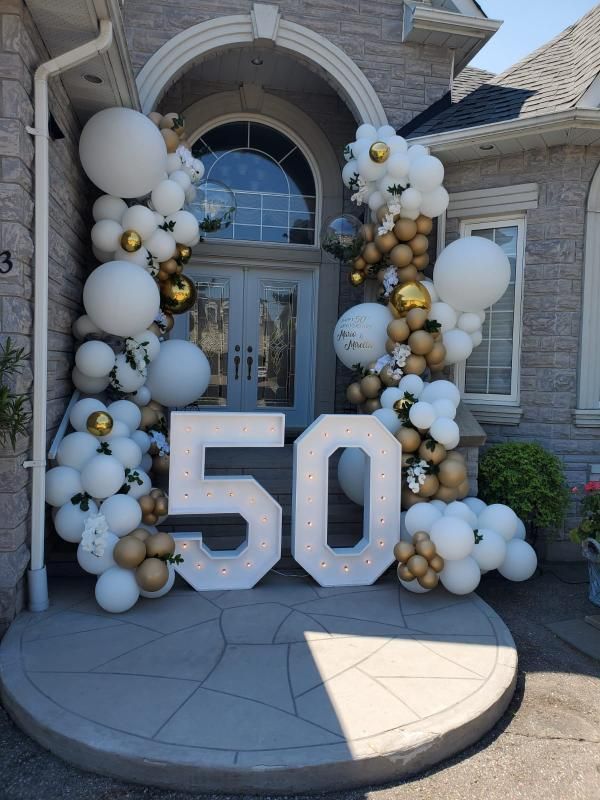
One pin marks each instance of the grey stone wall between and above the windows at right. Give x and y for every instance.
(551, 298)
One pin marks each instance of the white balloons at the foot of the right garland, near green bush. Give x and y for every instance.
(472, 538)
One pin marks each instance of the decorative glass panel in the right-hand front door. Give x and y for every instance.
(276, 372)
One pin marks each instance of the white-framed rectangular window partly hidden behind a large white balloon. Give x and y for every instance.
(491, 373)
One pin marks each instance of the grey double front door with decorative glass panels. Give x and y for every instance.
(256, 327)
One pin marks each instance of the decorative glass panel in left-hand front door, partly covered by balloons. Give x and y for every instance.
(209, 329)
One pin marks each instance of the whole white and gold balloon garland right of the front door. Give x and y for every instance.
(398, 347)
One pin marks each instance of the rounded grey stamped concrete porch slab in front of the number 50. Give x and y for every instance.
(288, 687)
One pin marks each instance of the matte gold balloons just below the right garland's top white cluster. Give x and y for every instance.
(404, 247)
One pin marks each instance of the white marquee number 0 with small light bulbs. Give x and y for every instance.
(362, 564)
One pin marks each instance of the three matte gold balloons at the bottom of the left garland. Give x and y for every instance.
(148, 554)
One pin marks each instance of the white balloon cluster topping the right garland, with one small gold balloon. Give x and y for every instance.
(382, 169)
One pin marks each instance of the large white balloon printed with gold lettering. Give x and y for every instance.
(360, 335)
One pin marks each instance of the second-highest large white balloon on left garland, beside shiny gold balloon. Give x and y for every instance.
(120, 298)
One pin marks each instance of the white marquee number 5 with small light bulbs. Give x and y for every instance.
(190, 492)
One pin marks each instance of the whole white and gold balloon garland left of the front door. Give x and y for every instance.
(154, 211)
